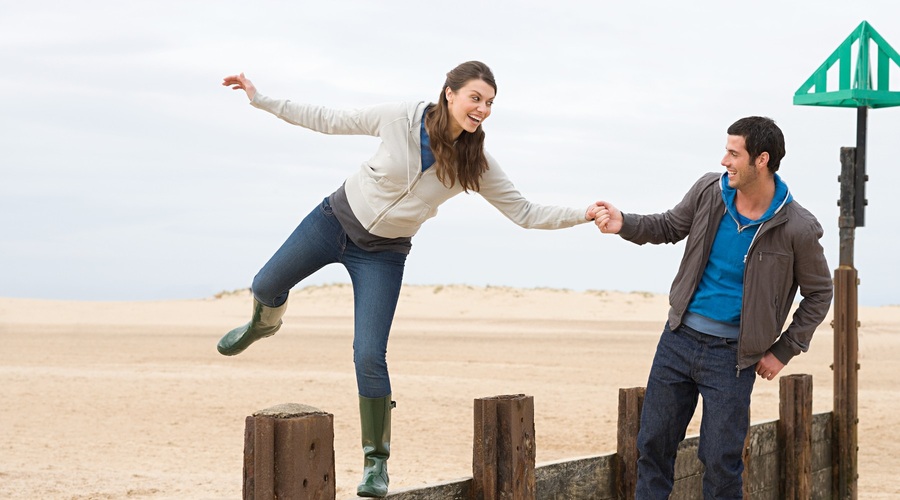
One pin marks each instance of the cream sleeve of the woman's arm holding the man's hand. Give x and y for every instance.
(500, 192)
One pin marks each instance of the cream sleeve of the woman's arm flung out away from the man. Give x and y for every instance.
(354, 121)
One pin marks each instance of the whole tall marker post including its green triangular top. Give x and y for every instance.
(854, 90)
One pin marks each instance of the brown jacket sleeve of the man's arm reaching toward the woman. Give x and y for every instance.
(672, 225)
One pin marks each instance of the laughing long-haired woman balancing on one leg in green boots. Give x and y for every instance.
(428, 154)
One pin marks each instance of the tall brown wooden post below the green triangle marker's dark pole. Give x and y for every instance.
(846, 379)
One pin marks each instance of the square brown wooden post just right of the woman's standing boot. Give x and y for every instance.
(504, 449)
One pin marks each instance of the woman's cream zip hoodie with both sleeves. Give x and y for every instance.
(390, 195)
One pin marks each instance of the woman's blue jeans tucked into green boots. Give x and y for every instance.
(320, 240)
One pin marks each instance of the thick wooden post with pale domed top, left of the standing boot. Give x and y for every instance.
(289, 453)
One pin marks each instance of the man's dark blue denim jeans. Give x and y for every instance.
(689, 364)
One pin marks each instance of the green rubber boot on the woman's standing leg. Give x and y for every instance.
(375, 420)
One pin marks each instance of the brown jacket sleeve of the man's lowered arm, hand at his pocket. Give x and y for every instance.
(814, 281)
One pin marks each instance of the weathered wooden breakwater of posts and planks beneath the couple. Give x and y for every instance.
(289, 454)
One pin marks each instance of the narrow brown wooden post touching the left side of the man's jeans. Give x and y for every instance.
(631, 401)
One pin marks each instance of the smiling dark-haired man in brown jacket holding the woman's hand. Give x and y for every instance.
(749, 247)
